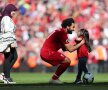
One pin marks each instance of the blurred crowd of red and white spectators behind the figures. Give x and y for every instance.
(38, 18)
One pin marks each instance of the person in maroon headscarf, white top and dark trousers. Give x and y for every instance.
(8, 41)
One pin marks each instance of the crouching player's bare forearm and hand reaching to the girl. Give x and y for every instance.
(72, 48)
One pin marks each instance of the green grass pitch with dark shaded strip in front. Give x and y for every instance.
(39, 81)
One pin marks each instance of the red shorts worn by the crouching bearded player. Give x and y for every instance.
(54, 58)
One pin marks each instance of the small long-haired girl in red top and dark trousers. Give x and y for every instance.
(82, 53)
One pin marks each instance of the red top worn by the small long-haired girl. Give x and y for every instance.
(82, 51)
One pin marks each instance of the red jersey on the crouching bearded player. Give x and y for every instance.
(55, 40)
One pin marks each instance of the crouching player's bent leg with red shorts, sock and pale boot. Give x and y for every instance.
(57, 58)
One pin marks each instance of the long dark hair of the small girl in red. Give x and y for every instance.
(85, 34)
